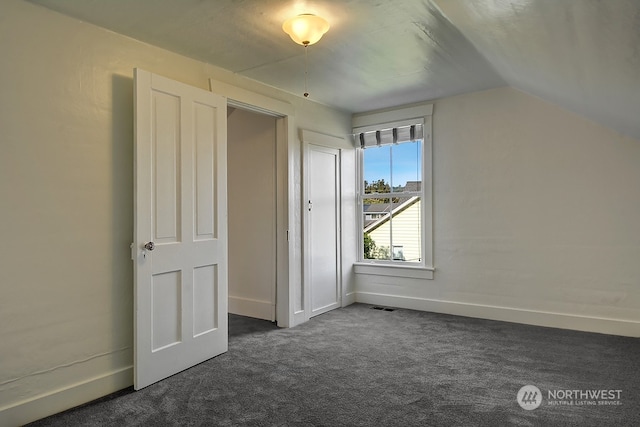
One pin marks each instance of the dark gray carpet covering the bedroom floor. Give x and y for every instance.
(359, 366)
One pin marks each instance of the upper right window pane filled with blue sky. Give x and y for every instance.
(406, 166)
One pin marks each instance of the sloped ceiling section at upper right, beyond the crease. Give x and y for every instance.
(583, 55)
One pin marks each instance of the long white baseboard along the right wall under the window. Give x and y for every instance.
(539, 318)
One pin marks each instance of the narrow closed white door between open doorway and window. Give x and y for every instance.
(322, 228)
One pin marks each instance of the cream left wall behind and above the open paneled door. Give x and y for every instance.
(66, 169)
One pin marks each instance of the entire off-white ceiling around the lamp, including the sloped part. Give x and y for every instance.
(583, 55)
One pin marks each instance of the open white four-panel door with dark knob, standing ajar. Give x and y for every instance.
(180, 227)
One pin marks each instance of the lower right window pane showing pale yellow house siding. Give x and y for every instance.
(407, 230)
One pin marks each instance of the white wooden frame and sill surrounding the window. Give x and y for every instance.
(420, 113)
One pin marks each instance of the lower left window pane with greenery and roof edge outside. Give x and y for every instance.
(377, 228)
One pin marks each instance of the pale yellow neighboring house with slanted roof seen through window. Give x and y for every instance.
(394, 228)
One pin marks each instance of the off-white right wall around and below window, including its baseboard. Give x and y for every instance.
(535, 218)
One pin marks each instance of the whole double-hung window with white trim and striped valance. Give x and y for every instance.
(394, 187)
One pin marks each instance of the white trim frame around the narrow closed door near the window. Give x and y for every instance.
(332, 143)
